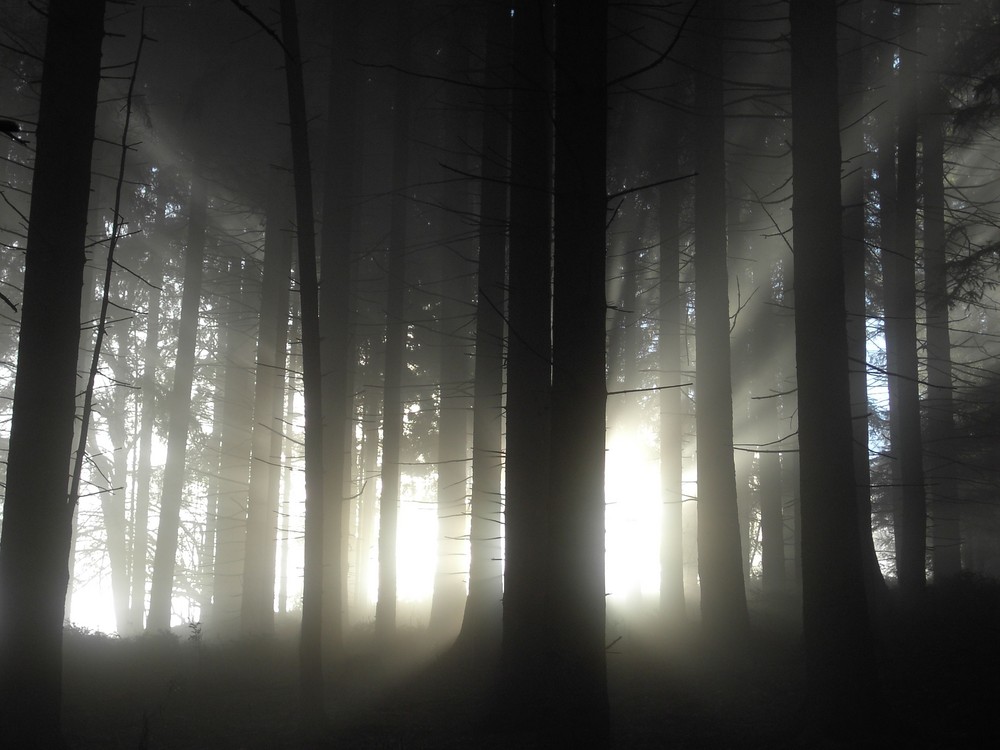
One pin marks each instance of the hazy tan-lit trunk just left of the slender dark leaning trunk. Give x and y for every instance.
(265, 467)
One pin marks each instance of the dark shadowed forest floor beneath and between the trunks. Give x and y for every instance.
(939, 667)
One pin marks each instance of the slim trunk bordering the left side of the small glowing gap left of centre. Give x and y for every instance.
(395, 338)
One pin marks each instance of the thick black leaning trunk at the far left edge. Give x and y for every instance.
(34, 545)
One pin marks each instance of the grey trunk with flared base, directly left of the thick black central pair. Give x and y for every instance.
(483, 613)
